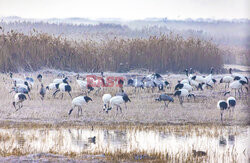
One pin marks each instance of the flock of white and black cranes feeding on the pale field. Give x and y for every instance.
(185, 88)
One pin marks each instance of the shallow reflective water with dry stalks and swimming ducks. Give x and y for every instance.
(220, 143)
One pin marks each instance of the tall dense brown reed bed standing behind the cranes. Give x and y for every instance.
(171, 52)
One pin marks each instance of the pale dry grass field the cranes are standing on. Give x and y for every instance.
(143, 109)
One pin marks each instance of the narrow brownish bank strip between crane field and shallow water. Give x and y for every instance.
(29, 123)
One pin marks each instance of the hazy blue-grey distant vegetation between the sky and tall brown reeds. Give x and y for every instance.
(221, 32)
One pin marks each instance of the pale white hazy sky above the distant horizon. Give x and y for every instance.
(126, 9)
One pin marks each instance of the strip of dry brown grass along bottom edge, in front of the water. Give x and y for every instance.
(107, 157)
